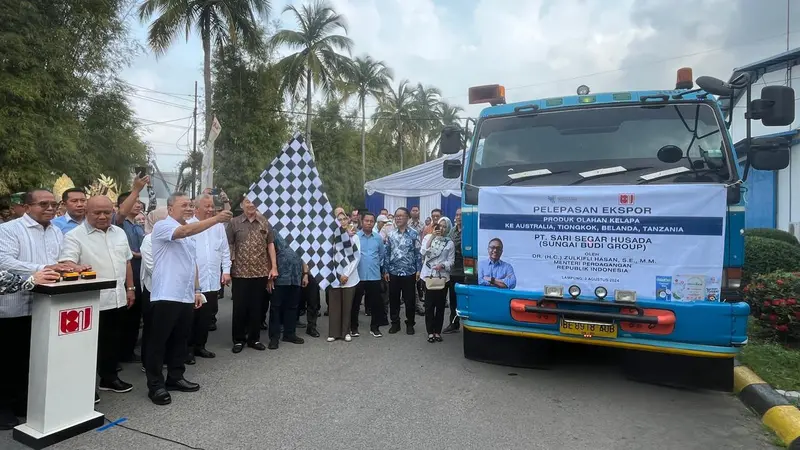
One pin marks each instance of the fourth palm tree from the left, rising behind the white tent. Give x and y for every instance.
(394, 114)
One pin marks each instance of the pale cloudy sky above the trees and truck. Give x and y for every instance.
(535, 48)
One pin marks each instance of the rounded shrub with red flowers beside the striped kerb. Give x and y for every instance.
(773, 300)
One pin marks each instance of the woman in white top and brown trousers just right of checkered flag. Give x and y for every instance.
(345, 259)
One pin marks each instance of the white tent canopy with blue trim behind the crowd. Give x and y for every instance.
(422, 185)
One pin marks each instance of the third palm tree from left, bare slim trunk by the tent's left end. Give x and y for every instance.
(366, 77)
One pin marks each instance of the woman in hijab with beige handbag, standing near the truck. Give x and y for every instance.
(438, 256)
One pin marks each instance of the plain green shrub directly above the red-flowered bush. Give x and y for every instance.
(764, 255)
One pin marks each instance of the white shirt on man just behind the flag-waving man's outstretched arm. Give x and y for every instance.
(213, 256)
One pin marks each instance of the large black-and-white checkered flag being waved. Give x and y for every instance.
(290, 194)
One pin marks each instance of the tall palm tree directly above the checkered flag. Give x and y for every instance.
(316, 63)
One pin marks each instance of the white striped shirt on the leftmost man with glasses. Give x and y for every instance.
(25, 247)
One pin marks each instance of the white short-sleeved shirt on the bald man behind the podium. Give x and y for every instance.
(107, 252)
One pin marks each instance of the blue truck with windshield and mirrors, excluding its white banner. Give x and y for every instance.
(680, 136)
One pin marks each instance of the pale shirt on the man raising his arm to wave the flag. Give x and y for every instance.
(174, 264)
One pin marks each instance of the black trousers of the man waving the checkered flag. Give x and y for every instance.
(170, 325)
